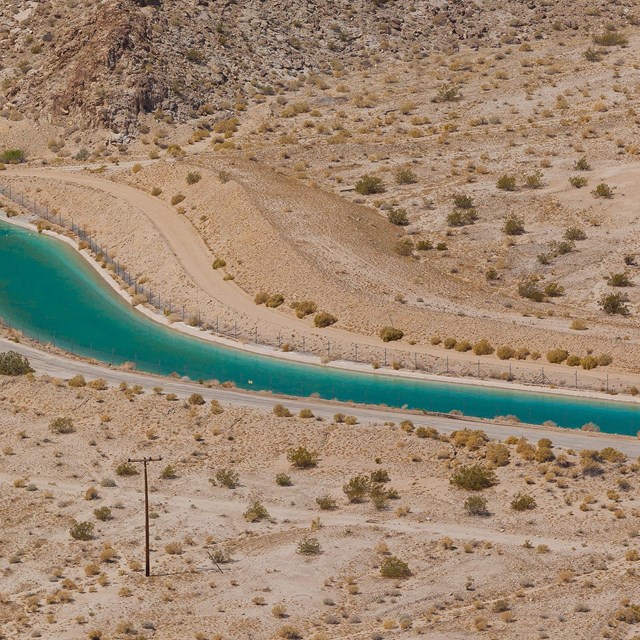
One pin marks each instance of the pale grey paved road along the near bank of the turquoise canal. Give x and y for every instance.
(62, 367)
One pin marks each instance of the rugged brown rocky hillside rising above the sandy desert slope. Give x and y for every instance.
(105, 63)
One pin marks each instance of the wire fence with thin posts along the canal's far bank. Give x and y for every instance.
(327, 349)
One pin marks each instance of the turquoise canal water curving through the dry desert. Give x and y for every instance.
(48, 291)
